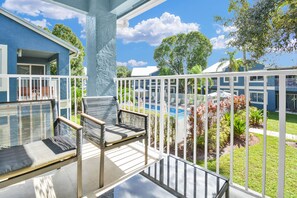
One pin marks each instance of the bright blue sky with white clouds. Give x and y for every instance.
(136, 43)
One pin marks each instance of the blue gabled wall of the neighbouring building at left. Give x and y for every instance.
(17, 36)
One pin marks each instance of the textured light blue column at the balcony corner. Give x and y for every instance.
(101, 49)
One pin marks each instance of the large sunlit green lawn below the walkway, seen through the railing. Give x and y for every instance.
(255, 167)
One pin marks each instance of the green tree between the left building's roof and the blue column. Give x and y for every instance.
(66, 34)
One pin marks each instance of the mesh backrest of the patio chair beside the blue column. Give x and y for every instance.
(104, 108)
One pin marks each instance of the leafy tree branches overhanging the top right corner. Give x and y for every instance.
(268, 26)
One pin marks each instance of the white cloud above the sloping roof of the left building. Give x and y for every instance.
(36, 8)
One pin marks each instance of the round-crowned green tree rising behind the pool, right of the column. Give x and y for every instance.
(179, 53)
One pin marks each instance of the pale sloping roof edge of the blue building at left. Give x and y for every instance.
(31, 26)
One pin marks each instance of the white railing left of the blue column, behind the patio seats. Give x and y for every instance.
(66, 90)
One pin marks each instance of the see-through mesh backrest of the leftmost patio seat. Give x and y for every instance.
(23, 122)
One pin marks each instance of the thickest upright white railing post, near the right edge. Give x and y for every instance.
(282, 136)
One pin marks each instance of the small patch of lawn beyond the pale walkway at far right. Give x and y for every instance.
(272, 123)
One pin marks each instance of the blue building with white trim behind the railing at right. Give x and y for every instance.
(256, 86)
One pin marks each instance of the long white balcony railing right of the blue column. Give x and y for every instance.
(174, 128)
